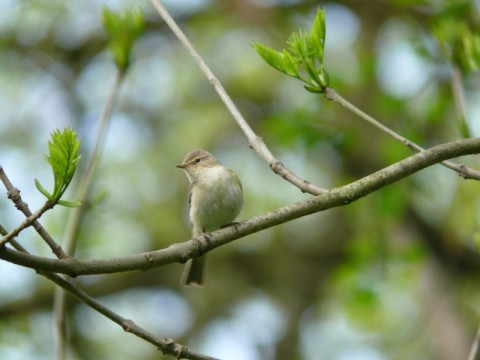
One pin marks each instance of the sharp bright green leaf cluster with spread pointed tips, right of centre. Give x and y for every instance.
(303, 59)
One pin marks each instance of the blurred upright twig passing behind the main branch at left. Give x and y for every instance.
(77, 214)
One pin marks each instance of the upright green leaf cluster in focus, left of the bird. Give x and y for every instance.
(63, 158)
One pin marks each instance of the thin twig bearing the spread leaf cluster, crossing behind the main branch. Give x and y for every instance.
(464, 171)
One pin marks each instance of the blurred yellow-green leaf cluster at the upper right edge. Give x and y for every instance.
(459, 43)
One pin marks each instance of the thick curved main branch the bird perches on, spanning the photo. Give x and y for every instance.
(180, 252)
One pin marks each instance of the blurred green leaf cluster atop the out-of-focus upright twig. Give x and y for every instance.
(122, 30)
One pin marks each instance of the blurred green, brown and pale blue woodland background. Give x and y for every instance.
(391, 276)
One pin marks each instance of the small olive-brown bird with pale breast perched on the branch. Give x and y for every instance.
(215, 200)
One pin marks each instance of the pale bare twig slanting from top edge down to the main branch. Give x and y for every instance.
(254, 141)
